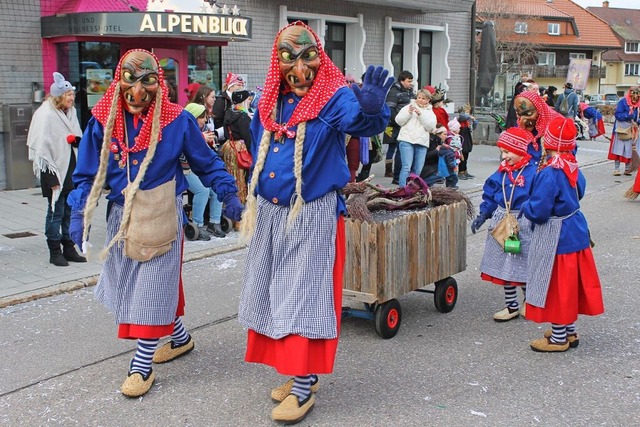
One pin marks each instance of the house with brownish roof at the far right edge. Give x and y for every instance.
(623, 64)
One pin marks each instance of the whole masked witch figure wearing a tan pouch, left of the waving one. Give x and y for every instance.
(133, 124)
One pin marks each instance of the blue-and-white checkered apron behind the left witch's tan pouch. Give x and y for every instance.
(140, 293)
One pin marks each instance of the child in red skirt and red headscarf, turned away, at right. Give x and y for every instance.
(562, 279)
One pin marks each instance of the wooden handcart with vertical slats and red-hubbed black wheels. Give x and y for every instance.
(388, 259)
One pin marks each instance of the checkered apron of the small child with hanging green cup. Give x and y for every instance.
(500, 264)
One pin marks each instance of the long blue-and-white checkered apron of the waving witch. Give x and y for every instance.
(288, 280)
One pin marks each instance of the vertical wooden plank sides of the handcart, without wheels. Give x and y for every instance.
(392, 258)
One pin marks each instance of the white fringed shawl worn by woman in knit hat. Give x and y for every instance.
(47, 141)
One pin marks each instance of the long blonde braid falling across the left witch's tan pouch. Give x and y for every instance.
(132, 188)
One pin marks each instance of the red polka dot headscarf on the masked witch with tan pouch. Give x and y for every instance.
(168, 113)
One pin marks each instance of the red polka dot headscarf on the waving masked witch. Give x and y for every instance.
(328, 80)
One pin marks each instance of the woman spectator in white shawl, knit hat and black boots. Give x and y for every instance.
(53, 139)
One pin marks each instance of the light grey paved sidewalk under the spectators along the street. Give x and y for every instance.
(24, 258)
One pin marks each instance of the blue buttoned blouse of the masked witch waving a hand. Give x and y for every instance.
(324, 165)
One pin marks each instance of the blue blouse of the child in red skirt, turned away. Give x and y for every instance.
(552, 195)
